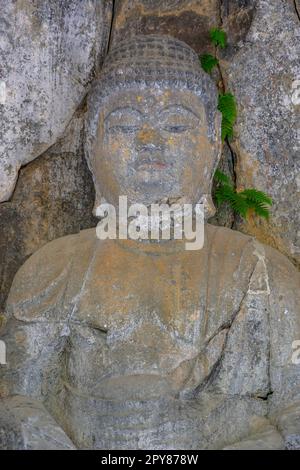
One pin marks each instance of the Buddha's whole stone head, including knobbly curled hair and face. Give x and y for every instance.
(153, 129)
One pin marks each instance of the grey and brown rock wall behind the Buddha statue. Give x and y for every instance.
(50, 52)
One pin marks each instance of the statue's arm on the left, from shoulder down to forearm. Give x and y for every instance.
(33, 334)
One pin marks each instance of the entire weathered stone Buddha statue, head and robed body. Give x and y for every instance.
(129, 344)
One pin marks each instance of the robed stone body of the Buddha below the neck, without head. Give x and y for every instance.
(83, 357)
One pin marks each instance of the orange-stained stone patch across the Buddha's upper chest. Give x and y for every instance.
(162, 282)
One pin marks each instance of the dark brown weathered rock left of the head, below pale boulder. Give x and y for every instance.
(54, 196)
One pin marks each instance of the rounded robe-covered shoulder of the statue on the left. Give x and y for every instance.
(43, 278)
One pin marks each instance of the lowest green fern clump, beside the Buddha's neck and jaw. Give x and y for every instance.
(241, 202)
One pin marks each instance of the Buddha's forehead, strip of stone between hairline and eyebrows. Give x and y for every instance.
(153, 100)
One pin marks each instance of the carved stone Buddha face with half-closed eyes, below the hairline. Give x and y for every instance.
(152, 146)
